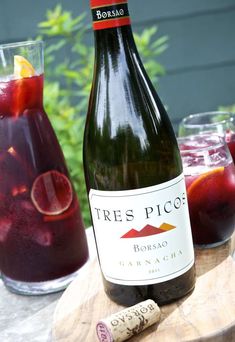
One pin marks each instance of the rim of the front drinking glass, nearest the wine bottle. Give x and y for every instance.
(219, 142)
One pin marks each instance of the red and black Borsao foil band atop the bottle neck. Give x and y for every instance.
(109, 13)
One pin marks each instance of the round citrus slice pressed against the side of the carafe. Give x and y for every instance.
(52, 193)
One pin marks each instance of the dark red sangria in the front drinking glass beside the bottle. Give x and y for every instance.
(211, 202)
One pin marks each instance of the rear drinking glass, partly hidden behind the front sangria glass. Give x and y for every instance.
(221, 123)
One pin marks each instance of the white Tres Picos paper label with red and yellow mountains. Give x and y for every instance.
(143, 236)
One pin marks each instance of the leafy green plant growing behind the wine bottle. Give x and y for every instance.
(68, 71)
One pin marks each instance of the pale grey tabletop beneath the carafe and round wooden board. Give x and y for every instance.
(29, 318)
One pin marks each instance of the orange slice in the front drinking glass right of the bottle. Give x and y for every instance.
(203, 180)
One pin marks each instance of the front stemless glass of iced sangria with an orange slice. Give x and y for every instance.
(210, 183)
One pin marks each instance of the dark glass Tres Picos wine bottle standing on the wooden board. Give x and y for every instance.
(133, 172)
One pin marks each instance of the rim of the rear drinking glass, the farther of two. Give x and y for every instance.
(211, 124)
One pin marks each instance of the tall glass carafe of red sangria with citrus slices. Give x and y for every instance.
(42, 237)
